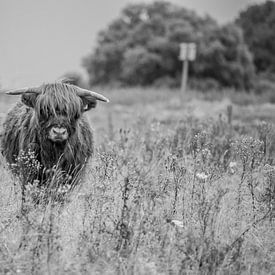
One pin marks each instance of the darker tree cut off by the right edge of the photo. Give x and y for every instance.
(258, 24)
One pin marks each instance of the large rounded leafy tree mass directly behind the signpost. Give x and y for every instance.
(142, 46)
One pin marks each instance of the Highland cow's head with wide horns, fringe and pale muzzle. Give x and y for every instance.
(58, 107)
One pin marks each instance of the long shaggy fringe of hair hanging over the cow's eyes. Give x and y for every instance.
(59, 98)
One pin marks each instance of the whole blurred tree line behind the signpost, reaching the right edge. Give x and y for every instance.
(141, 47)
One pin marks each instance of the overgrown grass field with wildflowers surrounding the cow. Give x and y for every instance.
(174, 188)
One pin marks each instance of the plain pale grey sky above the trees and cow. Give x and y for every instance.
(41, 40)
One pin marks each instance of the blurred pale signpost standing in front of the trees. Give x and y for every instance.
(187, 53)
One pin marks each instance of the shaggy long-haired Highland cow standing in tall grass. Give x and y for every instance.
(50, 122)
